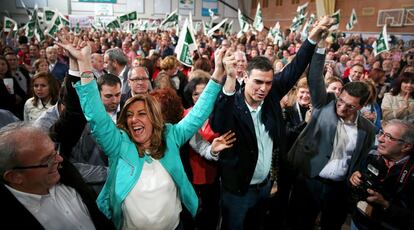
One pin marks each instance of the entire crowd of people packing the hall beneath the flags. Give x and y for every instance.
(116, 133)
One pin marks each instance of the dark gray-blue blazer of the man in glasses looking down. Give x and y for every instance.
(313, 148)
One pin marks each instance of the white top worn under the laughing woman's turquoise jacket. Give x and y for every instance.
(153, 203)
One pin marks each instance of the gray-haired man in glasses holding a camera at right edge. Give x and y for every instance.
(384, 187)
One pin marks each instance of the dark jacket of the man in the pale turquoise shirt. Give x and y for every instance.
(238, 163)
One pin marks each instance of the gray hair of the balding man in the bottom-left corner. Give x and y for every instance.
(11, 141)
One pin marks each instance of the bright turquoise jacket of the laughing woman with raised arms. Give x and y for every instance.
(125, 165)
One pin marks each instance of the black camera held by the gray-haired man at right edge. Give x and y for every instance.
(371, 179)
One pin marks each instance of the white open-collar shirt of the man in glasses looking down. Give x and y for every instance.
(337, 168)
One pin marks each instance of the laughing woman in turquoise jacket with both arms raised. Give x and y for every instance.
(147, 182)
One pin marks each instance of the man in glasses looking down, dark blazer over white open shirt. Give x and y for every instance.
(328, 150)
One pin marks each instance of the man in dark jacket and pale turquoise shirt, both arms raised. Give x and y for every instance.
(255, 115)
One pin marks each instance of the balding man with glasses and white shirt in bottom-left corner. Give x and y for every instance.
(40, 188)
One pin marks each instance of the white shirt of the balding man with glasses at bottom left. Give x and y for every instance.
(61, 209)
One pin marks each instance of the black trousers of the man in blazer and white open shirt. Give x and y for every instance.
(311, 196)
